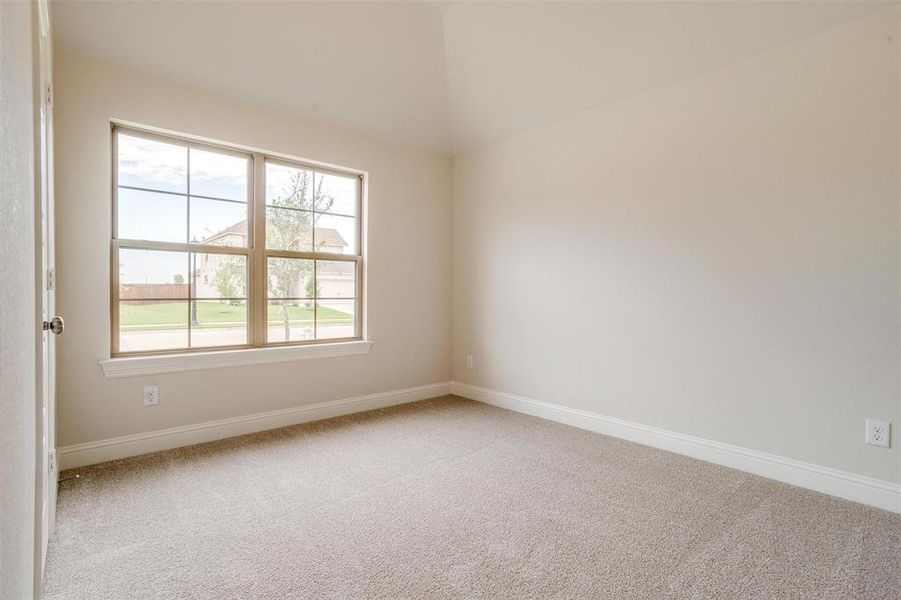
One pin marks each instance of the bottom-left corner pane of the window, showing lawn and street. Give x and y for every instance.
(145, 326)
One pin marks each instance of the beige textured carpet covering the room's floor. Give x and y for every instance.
(450, 498)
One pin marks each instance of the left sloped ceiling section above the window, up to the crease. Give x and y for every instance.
(377, 68)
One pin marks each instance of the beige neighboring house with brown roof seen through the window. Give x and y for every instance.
(336, 279)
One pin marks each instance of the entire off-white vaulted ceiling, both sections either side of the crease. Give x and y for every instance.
(440, 75)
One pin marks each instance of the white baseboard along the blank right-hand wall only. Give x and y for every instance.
(866, 490)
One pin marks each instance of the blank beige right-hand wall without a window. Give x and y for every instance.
(719, 258)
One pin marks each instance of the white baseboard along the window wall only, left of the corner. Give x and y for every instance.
(79, 455)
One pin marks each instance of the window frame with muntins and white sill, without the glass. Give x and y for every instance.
(127, 363)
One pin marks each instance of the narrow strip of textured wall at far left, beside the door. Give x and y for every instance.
(17, 304)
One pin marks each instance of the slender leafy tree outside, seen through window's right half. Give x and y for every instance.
(293, 230)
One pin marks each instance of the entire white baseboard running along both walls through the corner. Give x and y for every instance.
(866, 490)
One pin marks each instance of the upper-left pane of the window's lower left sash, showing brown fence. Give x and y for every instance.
(152, 274)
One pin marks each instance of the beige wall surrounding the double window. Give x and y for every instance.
(408, 292)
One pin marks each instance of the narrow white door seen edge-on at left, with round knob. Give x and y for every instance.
(52, 324)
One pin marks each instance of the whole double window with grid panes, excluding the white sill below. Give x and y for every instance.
(215, 247)
